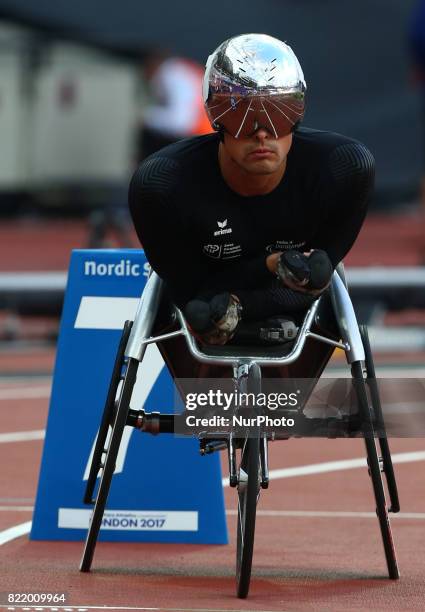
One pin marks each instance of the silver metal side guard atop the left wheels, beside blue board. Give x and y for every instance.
(145, 317)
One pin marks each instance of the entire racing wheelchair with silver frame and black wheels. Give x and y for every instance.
(329, 323)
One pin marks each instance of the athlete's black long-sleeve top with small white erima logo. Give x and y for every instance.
(203, 238)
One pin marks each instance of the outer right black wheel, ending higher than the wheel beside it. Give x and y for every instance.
(376, 404)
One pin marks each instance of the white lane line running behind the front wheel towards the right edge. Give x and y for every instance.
(335, 466)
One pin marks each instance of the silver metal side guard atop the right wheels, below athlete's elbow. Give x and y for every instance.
(346, 319)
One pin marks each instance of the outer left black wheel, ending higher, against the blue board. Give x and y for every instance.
(108, 417)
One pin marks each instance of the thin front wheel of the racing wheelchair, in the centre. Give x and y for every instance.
(248, 493)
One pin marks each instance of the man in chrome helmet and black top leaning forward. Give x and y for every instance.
(249, 222)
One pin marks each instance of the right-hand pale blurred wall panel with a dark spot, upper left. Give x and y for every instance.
(84, 117)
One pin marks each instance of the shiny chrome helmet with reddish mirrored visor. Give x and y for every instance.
(253, 81)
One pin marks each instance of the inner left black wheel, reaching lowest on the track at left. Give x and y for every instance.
(109, 465)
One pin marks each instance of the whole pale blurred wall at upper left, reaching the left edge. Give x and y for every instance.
(67, 115)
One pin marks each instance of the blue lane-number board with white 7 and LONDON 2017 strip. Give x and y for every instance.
(162, 489)
